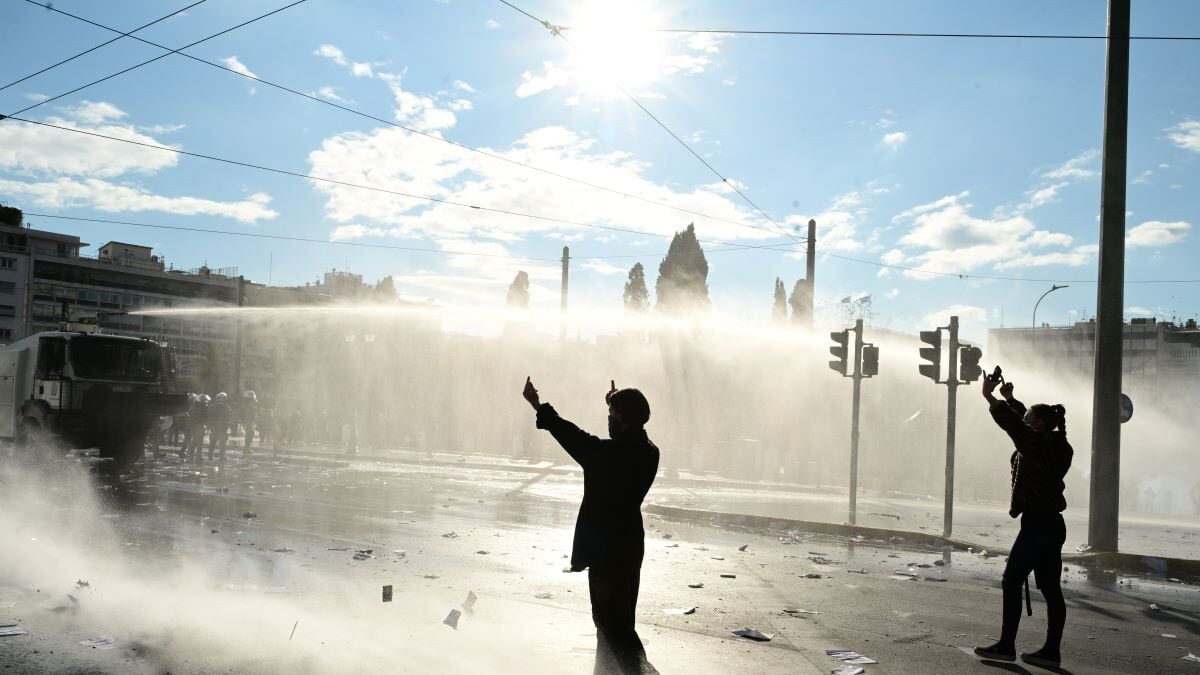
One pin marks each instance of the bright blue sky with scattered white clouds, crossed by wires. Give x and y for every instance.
(952, 156)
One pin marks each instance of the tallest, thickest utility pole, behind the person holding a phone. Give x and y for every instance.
(1103, 506)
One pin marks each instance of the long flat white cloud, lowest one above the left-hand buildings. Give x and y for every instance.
(111, 198)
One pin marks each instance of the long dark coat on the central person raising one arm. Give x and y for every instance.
(617, 474)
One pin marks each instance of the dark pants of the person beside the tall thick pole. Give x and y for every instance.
(1039, 549)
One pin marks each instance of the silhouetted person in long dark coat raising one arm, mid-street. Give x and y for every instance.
(609, 536)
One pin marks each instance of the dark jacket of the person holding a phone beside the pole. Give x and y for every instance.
(1040, 463)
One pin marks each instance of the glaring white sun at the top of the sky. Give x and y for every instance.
(614, 46)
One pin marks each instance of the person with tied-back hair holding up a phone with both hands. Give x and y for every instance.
(1039, 468)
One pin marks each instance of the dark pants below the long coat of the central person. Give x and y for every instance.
(614, 589)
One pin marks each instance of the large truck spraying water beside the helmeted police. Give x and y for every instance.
(86, 390)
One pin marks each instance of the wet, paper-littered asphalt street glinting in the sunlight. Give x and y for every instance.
(279, 566)
